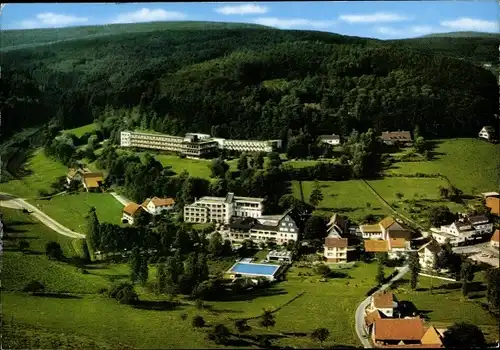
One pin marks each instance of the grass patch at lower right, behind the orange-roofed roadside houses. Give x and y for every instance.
(446, 305)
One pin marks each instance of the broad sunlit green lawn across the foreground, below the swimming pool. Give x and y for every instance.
(164, 329)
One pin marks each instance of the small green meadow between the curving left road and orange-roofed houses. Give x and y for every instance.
(71, 210)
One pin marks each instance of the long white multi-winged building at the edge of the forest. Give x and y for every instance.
(194, 145)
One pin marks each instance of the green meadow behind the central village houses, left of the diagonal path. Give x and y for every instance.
(347, 197)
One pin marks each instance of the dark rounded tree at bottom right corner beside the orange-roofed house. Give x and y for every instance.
(464, 335)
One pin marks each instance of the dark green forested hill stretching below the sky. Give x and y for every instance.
(246, 82)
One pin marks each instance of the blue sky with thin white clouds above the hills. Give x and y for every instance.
(380, 19)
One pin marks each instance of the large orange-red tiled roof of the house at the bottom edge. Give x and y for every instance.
(399, 329)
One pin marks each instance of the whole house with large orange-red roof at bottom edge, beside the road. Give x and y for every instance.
(405, 333)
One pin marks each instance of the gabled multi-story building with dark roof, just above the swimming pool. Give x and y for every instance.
(280, 229)
